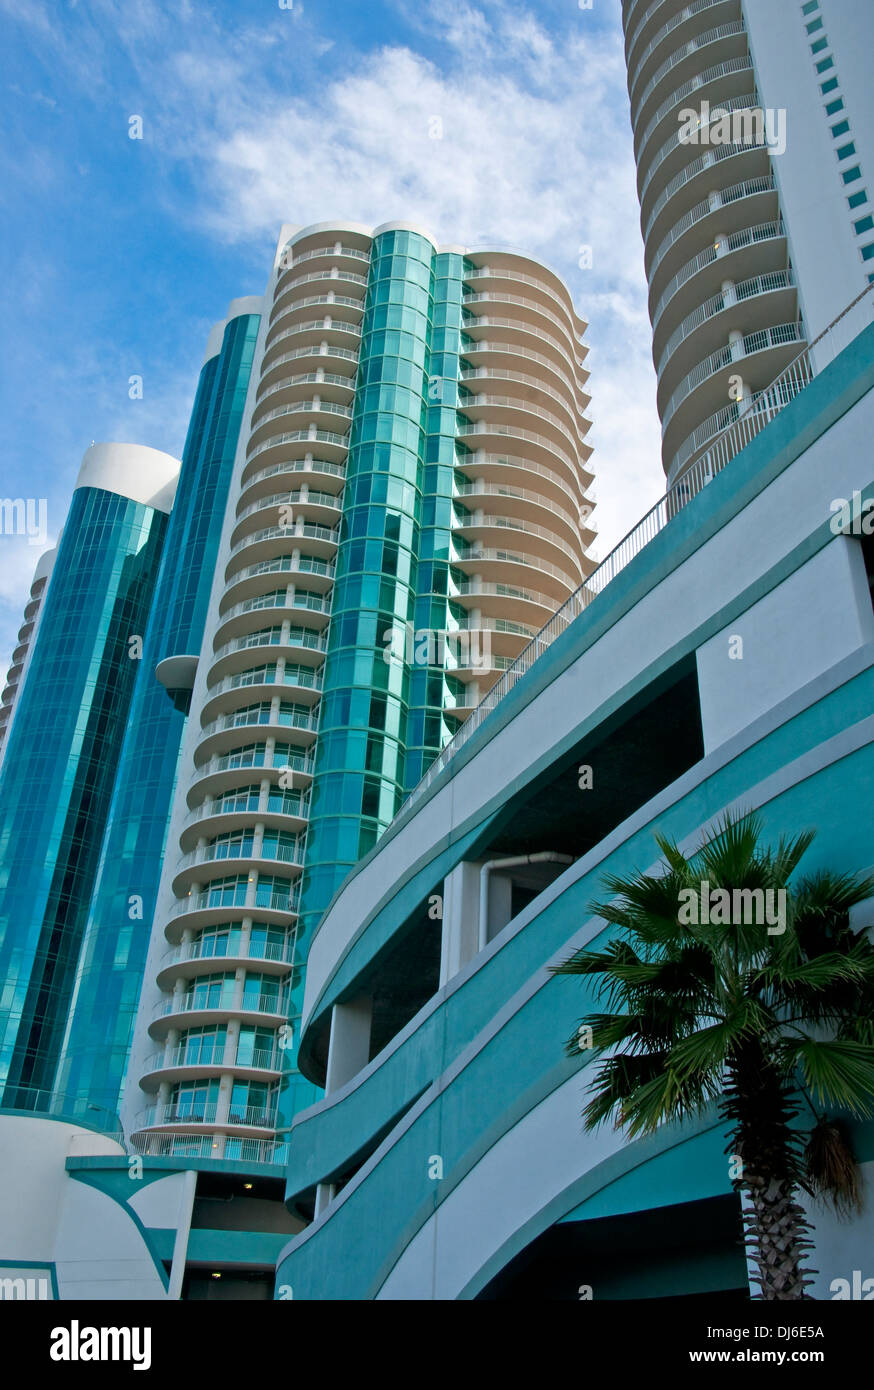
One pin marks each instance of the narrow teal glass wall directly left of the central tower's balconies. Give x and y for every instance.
(113, 958)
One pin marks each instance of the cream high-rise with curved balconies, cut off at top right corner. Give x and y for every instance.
(754, 134)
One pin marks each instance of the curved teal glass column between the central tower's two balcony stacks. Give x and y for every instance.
(361, 761)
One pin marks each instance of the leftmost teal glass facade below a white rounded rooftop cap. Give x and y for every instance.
(58, 776)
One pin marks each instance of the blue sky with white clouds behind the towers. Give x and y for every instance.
(119, 255)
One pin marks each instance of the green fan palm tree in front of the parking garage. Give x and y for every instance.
(766, 1021)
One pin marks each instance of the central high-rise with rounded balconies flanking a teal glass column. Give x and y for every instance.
(408, 508)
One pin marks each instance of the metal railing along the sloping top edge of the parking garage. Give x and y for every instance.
(752, 418)
